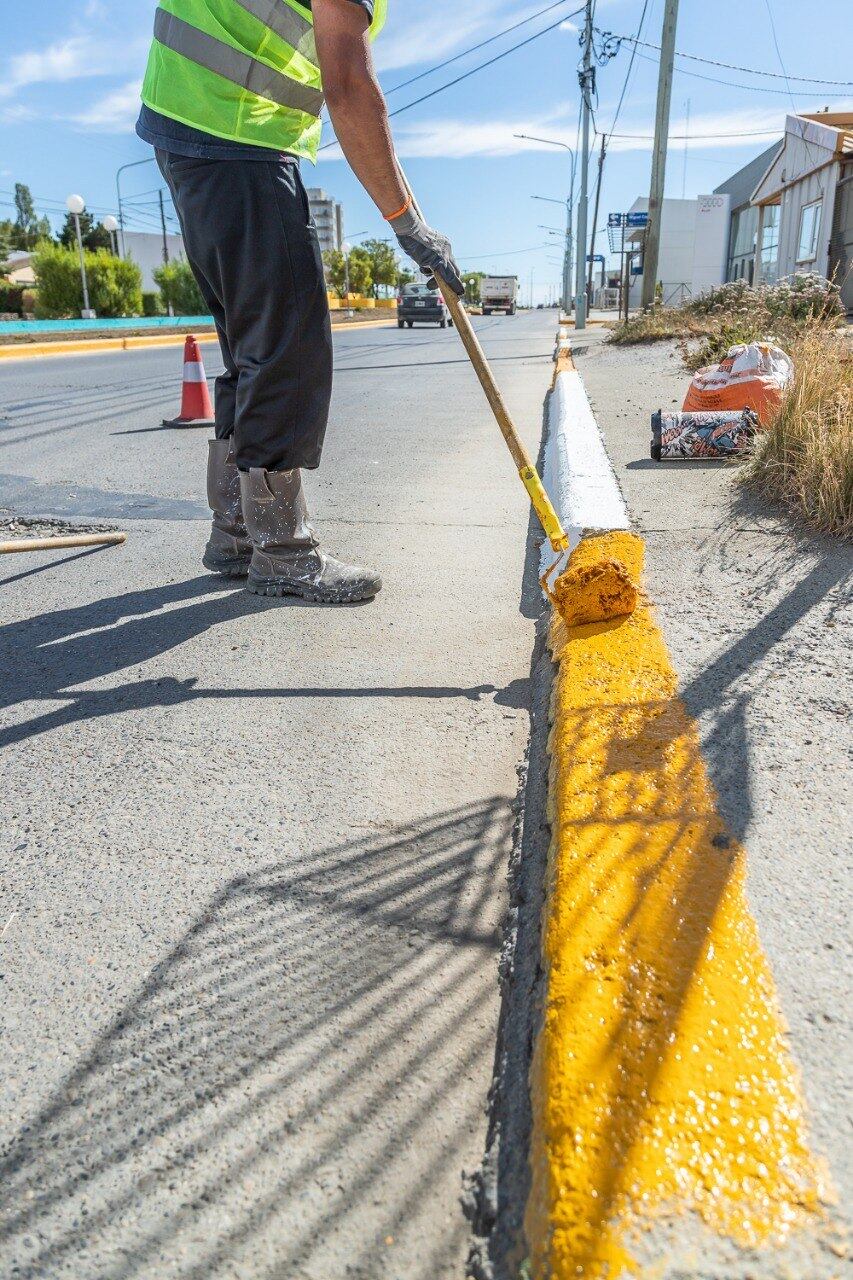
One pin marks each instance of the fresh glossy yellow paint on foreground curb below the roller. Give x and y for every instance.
(662, 1080)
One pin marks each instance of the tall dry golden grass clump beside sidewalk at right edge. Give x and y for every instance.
(805, 459)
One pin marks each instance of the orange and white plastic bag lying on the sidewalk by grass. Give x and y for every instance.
(754, 376)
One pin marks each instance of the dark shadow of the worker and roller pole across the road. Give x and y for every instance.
(48, 656)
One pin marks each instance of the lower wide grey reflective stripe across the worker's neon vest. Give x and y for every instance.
(247, 72)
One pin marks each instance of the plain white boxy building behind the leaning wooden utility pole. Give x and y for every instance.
(695, 243)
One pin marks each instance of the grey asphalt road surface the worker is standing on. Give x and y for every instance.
(258, 849)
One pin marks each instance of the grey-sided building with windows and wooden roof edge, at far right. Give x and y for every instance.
(805, 203)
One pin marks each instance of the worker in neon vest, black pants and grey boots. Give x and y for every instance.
(231, 102)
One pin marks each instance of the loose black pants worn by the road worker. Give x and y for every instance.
(253, 248)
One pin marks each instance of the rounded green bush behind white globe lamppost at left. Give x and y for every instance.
(115, 285)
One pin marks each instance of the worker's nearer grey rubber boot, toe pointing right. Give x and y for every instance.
(286, 559)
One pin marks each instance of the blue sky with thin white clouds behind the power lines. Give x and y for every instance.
(70, 81)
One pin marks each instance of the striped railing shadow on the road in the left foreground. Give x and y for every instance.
(257, 1108)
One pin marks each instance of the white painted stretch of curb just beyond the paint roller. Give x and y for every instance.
(578, 474)
